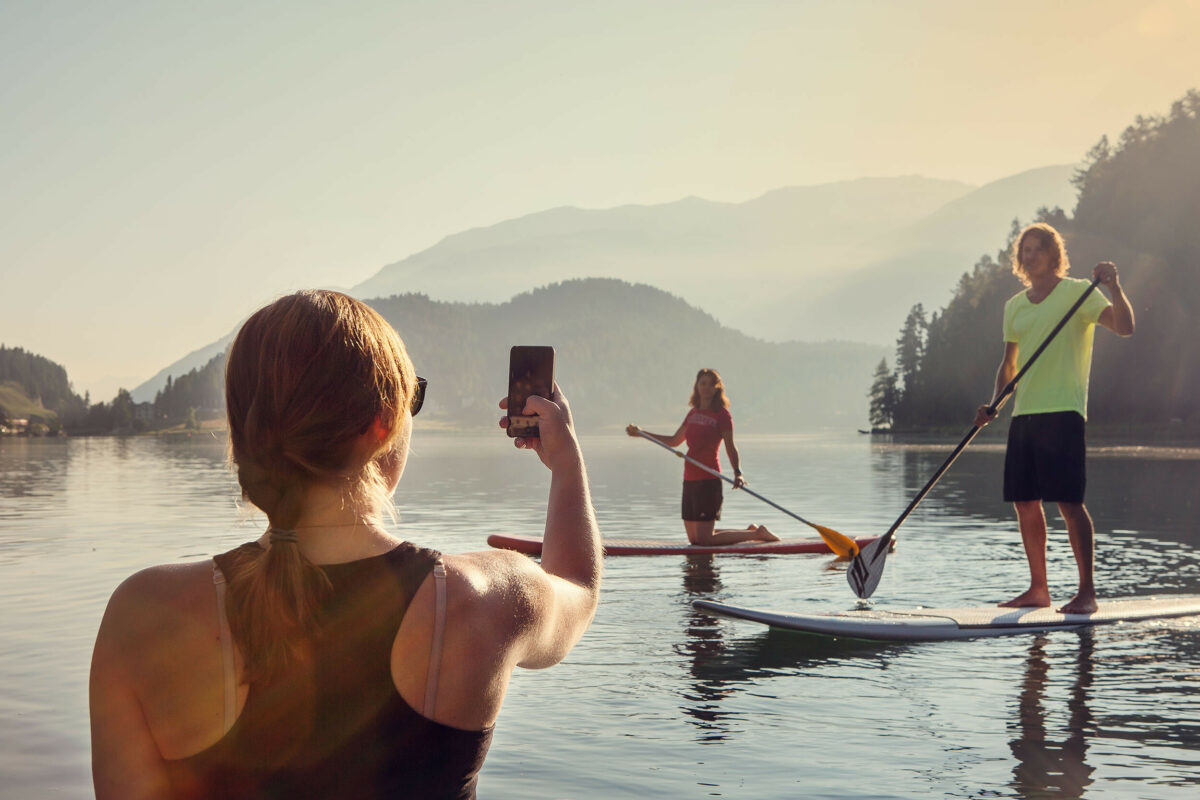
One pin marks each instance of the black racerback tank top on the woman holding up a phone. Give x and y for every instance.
(335, 726)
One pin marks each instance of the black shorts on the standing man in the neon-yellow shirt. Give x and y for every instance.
(1046, 459)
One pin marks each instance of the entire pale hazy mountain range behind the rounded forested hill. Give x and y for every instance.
(838, 261)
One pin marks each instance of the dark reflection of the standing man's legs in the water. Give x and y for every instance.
(1046, 768)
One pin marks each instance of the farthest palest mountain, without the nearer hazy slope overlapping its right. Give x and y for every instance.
(699, 250)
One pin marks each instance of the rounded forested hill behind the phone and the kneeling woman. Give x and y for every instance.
(626, 354)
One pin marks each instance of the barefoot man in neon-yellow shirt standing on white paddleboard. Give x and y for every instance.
(1046, 456)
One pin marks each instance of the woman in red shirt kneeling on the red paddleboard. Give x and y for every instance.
(704, 429)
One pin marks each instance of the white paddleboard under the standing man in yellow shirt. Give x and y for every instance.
(937, 624)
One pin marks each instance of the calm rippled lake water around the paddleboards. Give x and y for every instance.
(659, 700)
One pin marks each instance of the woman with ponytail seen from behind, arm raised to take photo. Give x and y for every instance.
(329, 658)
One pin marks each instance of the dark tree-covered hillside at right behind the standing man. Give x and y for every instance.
(1139, 207)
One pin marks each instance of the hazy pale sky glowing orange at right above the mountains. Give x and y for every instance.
(166, 167)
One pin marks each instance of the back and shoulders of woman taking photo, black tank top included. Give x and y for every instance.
(349, 721)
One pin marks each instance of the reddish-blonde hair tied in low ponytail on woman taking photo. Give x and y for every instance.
(307, 377)
